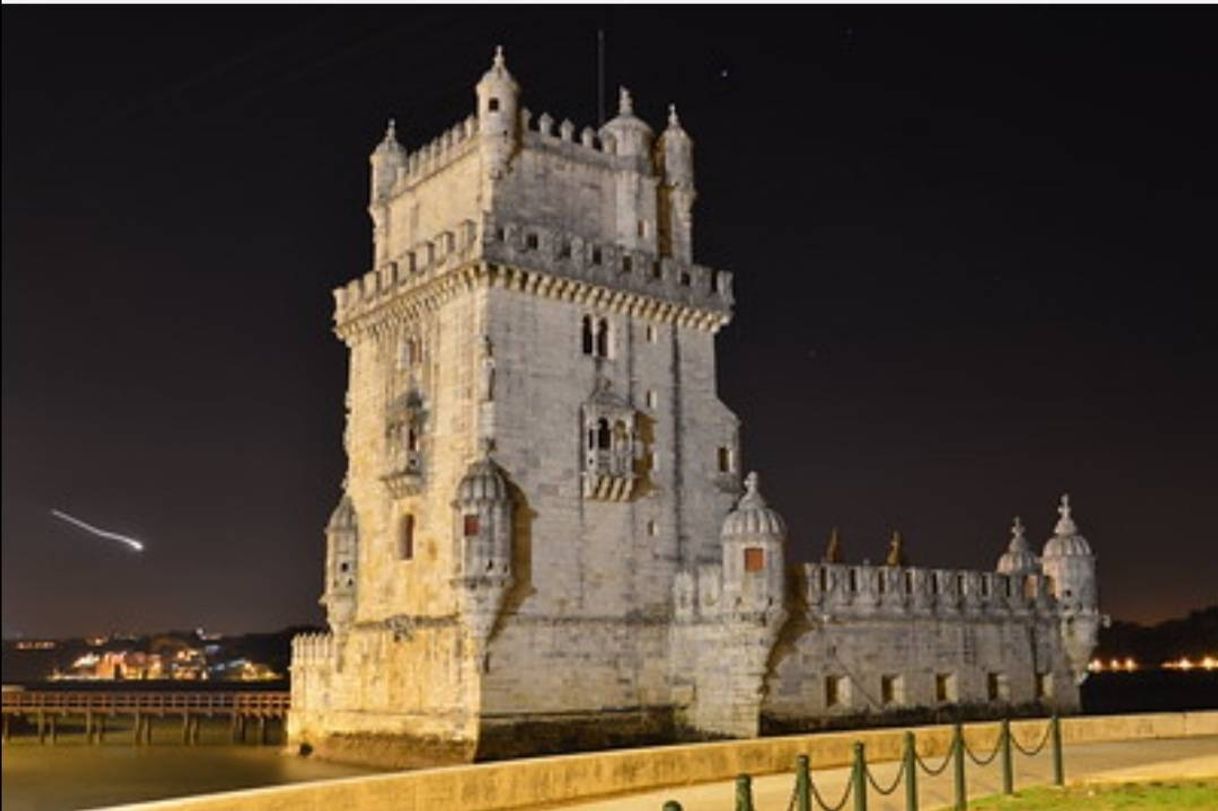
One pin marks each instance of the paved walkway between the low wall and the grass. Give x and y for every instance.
(1127, 760)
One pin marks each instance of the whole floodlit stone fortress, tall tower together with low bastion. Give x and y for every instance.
(543, 542)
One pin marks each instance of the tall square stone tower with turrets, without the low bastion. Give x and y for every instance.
(528, 359)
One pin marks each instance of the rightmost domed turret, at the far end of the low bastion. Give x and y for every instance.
(1069, 563)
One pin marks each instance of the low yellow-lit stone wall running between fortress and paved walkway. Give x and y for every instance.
(528, 784)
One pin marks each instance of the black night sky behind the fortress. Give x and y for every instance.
(971, 249)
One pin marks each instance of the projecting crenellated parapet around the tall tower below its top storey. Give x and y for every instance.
(678, 289)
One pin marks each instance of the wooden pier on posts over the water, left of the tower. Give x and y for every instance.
(48, 709)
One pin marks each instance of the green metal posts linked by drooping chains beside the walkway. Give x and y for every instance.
(806, 797)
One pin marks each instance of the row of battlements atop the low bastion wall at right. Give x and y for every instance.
(845, 591)
